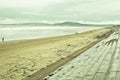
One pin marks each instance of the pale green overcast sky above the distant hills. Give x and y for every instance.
(12, 11)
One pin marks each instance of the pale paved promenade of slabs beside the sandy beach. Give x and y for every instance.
(101, 62)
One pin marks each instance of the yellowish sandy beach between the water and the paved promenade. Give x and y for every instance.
(19, 59)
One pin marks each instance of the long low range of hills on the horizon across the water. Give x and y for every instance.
(54, 24)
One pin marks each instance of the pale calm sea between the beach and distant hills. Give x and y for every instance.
(10, 33)
